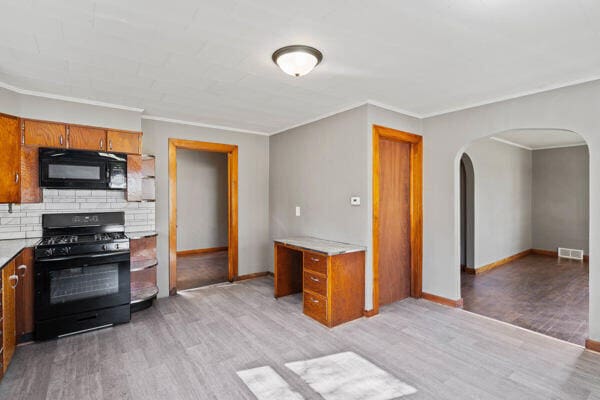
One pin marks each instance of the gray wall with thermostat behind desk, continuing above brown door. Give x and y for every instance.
(318, 167)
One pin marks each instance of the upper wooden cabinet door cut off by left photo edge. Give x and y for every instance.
(10, 161)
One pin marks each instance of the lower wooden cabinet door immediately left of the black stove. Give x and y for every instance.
(24, 294)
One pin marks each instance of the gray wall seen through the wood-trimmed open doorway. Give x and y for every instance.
(201, 199)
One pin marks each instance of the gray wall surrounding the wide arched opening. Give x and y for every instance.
(574, 108)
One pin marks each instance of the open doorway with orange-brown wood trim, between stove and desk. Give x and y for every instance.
(203, 213)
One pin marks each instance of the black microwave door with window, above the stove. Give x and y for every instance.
(72, 169)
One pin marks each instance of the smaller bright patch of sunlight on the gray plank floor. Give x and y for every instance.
(266, 384)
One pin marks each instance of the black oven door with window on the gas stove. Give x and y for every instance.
(75, 284)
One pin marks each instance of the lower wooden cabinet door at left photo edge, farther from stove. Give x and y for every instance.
(9, 337)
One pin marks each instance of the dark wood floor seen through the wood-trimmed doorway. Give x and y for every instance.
(196, 270)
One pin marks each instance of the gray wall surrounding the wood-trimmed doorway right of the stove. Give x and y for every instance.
(255, 248)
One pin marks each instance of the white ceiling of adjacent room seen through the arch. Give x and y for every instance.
(537, 139)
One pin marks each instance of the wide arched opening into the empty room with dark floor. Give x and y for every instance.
(524, 195)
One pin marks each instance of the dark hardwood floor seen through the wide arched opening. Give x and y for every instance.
(541, 293)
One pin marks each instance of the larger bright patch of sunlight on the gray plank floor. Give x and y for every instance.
(347, 376)
